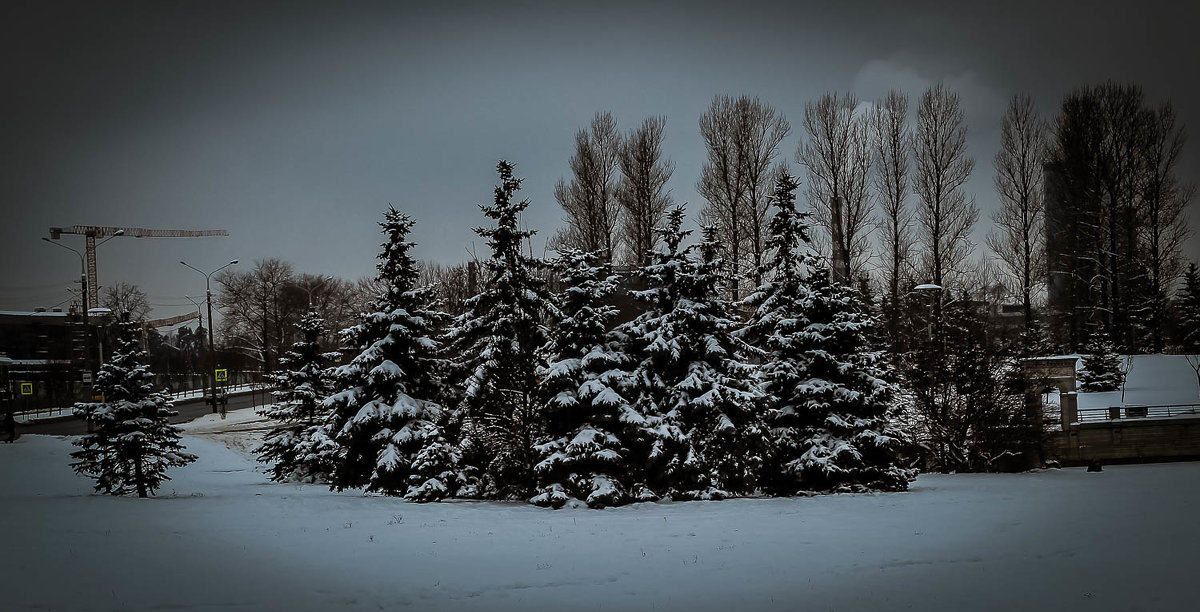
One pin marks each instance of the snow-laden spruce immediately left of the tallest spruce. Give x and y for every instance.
(385, 417)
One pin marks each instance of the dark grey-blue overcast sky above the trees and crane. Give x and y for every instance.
(295, 125)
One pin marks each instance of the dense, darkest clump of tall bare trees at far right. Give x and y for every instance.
(1115, 218)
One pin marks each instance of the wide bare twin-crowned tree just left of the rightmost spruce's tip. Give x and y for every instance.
(742, 139)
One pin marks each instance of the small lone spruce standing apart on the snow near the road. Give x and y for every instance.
(133, 442)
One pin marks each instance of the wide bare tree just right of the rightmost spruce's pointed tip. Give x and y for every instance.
(837, 155)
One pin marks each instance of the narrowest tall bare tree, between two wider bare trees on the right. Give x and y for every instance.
(891, 146)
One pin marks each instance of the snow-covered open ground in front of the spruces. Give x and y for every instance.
(221, 537)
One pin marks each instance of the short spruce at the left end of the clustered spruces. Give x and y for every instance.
(298, 445)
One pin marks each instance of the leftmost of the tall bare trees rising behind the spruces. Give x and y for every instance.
(590, 200)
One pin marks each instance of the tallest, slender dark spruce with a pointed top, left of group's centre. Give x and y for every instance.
(496, 345)
